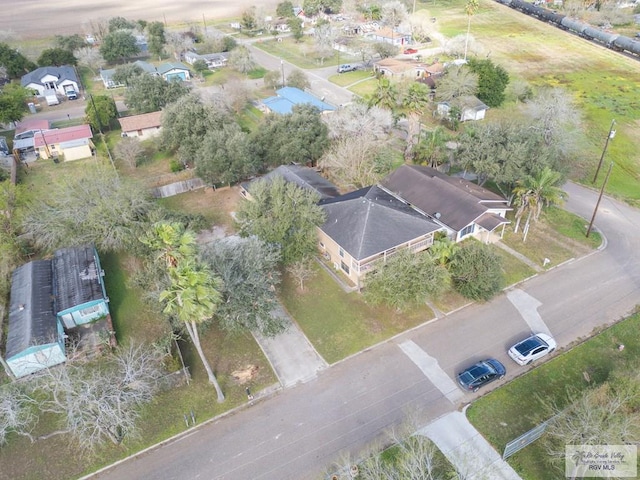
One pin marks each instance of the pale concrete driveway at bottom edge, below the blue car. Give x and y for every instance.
(466, 449)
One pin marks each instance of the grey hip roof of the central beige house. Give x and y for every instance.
(369, 221)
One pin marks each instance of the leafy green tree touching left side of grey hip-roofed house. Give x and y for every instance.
(282, 214)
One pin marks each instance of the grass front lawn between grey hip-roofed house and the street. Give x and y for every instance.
(340, 324)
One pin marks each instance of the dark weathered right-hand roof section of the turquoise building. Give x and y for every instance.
(76, 277)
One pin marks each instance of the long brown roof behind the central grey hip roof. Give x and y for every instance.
(458, 201)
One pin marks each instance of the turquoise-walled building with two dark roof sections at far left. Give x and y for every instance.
(50, 298)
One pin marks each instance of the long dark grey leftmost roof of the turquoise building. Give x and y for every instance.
(31, 318)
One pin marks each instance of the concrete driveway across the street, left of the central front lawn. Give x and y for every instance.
(292, 357)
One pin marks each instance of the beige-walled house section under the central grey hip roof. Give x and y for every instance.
(369, 226)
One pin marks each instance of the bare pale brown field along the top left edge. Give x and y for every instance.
(37, 19)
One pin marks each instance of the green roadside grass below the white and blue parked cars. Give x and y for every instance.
(510, 411)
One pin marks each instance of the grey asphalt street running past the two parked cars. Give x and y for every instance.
(298, 432)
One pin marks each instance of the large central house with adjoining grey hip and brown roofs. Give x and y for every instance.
(404, 211)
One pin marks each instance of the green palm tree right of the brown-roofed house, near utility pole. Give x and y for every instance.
(533, 193)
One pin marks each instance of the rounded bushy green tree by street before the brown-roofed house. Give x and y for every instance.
(476, 271)
